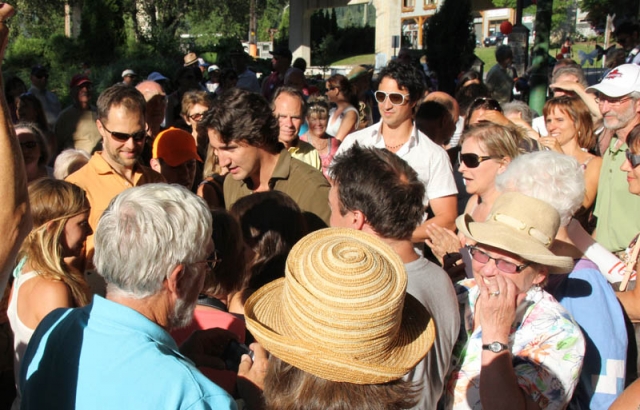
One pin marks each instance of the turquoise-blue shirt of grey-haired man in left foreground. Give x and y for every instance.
(108, 356)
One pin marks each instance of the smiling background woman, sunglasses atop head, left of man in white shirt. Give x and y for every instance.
(325, 144)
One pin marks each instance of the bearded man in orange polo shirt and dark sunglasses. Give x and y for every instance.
(121, 123)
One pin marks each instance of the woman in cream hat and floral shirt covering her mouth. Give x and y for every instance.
(518, 348)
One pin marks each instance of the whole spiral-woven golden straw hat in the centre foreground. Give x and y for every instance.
(342, 312)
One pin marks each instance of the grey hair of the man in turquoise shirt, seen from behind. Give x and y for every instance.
(146, 232)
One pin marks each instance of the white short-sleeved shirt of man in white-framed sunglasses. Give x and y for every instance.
(428, 159)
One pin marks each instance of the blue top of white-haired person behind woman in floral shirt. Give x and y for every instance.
(587, 295)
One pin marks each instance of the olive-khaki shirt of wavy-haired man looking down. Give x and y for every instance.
(303, 183)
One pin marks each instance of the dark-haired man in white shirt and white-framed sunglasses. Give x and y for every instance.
(399, 90)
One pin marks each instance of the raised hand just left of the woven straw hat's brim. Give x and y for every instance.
(251, 375)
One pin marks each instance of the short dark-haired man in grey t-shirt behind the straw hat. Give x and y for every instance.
(375, 191)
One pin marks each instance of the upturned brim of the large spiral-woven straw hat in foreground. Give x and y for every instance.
(266, 322)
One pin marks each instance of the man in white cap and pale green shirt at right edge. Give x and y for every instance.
(618, 97)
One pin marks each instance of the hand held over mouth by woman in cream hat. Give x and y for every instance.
(496, 308)
